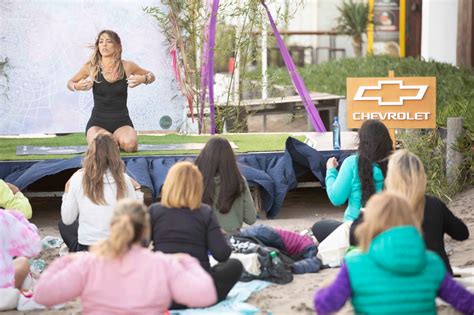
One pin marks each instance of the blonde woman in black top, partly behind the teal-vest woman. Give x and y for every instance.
(406, 176)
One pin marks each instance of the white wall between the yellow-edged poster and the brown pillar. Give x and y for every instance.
(439, 30)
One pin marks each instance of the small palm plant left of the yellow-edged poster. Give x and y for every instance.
(353, 21)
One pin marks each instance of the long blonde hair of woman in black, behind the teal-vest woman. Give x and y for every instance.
(406, 175)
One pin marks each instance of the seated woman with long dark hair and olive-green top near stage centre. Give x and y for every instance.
(225, 189)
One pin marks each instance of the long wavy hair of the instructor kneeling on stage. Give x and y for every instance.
(95, 60)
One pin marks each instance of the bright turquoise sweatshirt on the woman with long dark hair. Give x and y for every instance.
(345, 186)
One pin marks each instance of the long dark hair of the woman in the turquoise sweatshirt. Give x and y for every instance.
(375, 145)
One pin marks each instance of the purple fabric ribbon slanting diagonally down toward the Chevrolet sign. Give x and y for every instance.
(296, 79)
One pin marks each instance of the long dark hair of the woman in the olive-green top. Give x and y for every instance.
(218, 159)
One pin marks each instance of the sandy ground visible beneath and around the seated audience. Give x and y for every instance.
(301, 209)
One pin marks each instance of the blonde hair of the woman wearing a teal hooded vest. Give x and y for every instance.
(382, 212)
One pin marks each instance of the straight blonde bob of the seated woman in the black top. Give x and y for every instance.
(183, 187)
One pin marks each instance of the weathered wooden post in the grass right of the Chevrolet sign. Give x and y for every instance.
(453, 157)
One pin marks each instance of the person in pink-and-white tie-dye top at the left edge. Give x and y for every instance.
(18, 239)
